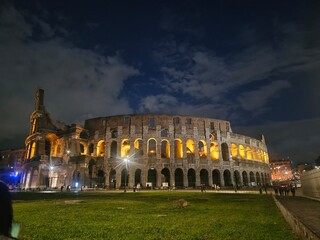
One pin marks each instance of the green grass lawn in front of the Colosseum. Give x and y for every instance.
(149, 215)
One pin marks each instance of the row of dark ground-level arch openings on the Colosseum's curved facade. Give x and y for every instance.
(181, 179)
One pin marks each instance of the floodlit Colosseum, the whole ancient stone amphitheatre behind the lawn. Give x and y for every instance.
(145, 150)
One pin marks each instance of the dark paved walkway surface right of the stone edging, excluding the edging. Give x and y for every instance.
(305, 209)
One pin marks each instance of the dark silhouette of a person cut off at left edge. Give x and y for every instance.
(6, 211)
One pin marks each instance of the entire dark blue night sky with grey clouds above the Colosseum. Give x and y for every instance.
(254, 63)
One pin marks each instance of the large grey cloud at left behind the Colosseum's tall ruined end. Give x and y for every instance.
(78, 83)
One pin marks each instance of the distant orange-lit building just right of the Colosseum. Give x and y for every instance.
(281, 169)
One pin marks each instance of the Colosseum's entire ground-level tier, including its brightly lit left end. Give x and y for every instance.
(146, 177)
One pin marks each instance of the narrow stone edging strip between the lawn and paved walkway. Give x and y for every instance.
(298, 227)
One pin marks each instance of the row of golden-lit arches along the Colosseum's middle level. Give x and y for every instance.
(179, 150)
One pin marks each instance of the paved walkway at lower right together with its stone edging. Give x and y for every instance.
(303, 214)
